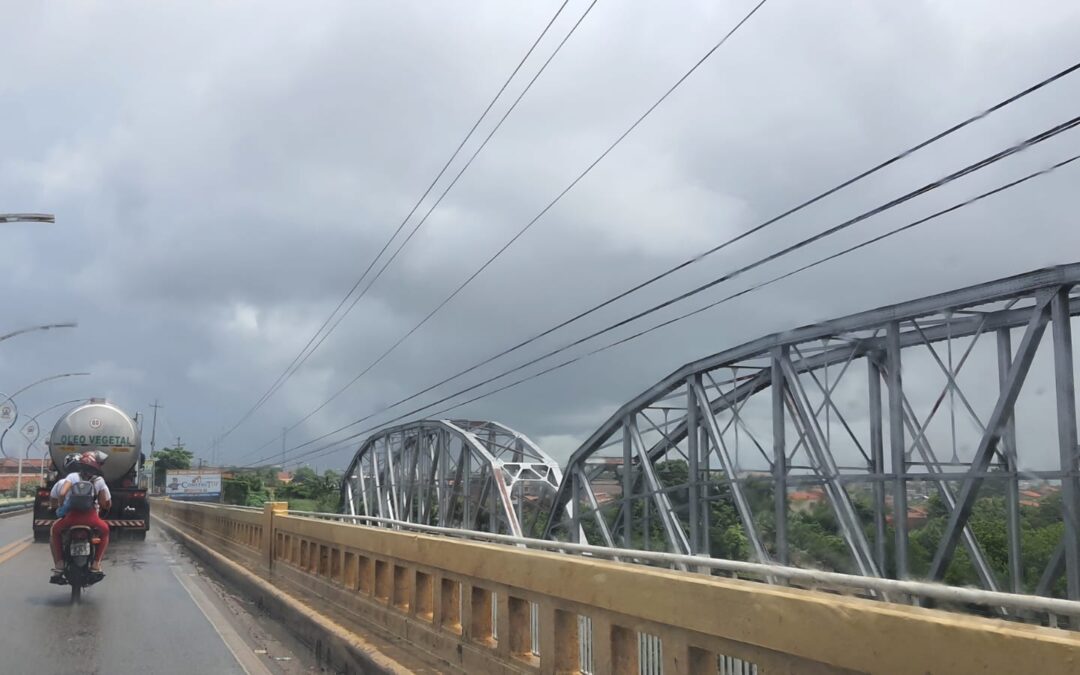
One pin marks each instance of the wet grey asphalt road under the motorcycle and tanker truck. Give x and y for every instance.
(141, 619)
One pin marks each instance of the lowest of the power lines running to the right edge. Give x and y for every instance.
(335, 445)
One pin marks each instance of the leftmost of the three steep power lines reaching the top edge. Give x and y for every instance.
(298, 362)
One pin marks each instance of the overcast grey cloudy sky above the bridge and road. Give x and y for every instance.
(222, 174)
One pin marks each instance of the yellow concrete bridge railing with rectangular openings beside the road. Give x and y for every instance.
(478, 605)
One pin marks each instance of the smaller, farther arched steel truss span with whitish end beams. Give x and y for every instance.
(453, 474)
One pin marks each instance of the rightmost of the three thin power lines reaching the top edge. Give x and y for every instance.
(550, 206)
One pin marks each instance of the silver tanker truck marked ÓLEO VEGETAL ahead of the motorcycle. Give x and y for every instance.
(100, 426)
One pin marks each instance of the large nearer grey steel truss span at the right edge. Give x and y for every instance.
(866, 416)
